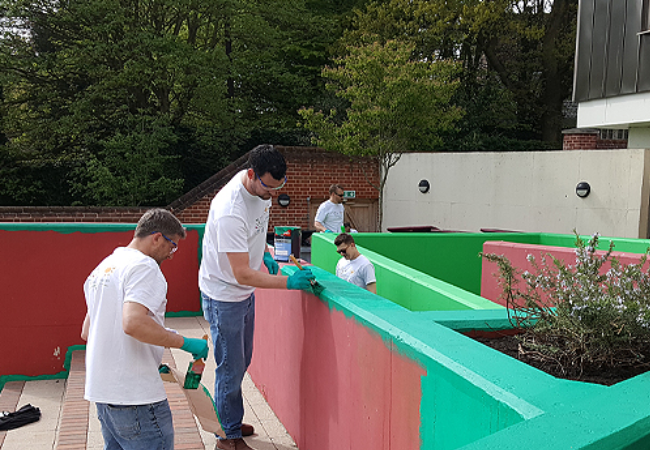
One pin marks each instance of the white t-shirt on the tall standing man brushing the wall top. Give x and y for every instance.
(238, 222)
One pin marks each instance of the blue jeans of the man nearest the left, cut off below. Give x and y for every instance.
(137, 427)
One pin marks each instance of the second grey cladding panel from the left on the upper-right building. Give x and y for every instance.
(599, 49)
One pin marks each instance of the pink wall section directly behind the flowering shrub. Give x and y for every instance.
(518, 254)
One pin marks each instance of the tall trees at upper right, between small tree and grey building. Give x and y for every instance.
(524, 48)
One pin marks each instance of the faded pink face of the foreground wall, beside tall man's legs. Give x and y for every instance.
(334, 383)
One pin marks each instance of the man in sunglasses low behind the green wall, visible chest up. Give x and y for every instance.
(354, 267)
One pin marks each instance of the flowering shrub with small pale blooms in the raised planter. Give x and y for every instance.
(580, 316)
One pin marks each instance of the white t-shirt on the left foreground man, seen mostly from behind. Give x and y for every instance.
(120, 369)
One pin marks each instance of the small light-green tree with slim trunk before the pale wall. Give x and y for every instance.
(397, 103)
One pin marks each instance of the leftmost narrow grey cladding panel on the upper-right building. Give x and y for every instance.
(583, 50)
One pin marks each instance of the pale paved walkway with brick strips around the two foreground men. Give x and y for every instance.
(70, 423)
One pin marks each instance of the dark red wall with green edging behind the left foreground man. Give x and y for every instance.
(42, 304)
